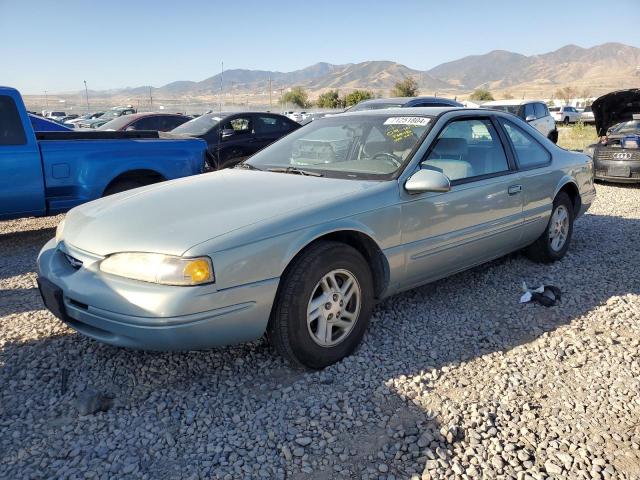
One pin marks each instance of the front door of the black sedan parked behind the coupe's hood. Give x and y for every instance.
(236, 140)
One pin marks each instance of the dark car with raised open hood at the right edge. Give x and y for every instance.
(616, 157)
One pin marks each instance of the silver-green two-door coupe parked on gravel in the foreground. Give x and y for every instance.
(301, 240)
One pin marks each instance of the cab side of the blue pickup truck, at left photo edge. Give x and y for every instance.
(21, 176)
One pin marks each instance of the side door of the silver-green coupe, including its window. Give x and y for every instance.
(480, 218)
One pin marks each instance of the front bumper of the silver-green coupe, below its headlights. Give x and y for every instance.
(147, 316)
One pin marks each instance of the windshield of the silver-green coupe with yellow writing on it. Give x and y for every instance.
(363, 146)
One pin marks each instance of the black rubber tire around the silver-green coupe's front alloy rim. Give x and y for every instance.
(288, 331)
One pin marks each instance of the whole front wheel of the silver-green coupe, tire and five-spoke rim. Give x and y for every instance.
(323, 306)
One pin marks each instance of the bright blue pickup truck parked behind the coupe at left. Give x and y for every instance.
(46, 173)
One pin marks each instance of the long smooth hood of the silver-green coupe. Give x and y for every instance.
(172, 217)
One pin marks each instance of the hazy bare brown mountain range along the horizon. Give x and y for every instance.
(594, 70)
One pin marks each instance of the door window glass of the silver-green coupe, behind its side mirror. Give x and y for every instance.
(467, 149)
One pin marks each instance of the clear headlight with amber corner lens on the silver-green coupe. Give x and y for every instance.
(159, 268)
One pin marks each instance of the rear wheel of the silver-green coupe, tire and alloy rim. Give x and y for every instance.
(553, 244)
